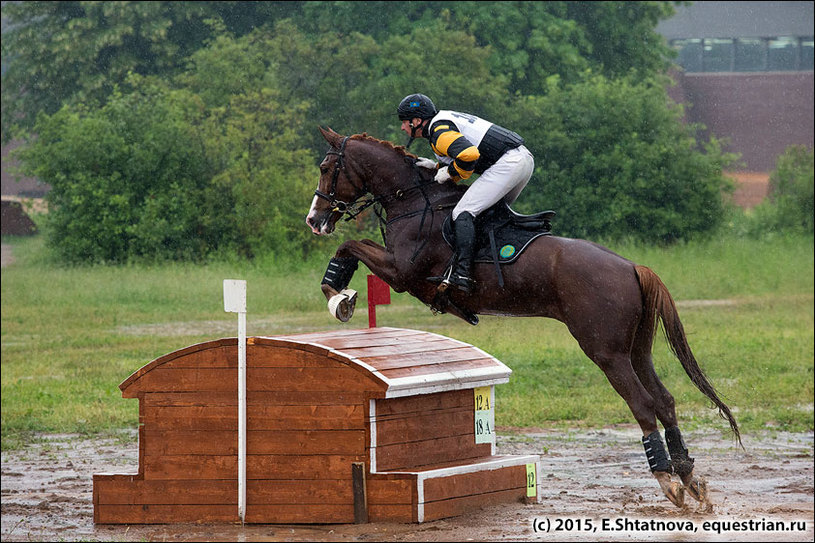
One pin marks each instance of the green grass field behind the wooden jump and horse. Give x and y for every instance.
(71, 335)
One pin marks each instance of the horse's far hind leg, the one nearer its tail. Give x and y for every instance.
(664, 407)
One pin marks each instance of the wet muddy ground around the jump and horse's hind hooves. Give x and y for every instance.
(593, 486)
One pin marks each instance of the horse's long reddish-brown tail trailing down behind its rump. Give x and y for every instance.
(658, 303)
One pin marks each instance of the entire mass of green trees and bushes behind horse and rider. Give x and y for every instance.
(216, 153)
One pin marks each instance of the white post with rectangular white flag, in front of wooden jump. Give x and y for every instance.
(235, 302)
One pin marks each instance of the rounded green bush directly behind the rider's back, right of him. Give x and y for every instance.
(615, 161)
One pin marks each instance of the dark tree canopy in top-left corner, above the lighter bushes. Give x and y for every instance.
(57, 53)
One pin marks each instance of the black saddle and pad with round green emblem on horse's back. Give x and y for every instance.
(512, 232)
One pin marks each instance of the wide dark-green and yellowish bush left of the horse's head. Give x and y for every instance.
(154, 175)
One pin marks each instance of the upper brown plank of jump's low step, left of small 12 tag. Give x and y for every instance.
(466, 484)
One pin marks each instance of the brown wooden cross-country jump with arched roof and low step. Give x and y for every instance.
(343, 426)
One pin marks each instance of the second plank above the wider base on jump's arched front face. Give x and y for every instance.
(206, 442)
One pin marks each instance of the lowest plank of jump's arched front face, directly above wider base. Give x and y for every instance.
(257, 466)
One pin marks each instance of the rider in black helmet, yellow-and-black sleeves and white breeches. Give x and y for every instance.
(465, 144)
